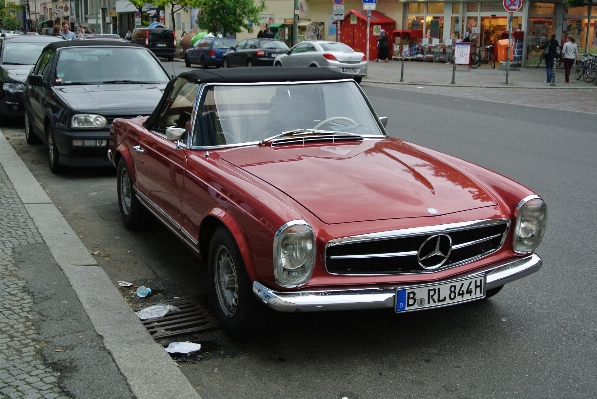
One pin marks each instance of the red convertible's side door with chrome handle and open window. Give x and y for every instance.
(160, 163)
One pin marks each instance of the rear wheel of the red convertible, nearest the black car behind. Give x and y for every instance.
(133, 213)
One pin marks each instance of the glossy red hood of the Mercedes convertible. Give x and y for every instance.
(370, 180)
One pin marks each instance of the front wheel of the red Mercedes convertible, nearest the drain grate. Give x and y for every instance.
(231, 292)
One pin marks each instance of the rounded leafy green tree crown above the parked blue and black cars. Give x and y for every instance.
(227, 16)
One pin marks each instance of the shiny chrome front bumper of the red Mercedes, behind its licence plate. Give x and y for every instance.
(496, 274)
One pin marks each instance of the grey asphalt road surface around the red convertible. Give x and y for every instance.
(537, 338)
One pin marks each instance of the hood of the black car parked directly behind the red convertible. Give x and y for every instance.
(114, 99)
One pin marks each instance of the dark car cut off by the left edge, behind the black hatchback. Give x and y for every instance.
(17, 55)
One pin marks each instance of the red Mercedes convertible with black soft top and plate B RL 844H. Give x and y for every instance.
(288, 187)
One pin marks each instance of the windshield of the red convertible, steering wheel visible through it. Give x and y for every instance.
(238, 114)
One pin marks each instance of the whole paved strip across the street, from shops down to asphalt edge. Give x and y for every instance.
(526, 86)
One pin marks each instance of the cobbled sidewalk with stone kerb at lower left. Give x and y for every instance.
(65, 330)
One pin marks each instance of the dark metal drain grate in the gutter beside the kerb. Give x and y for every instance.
(196, 314)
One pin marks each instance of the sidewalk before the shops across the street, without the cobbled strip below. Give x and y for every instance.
(440, 74)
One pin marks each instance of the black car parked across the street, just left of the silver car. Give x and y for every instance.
(254, 52)
